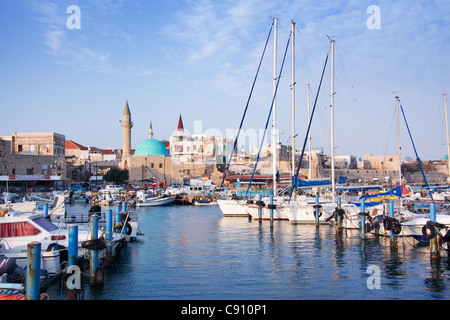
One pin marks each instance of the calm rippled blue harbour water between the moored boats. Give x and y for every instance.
(194, 253)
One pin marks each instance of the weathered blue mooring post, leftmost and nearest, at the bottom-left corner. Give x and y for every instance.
(33, 285)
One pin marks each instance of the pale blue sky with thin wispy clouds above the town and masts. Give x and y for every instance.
(198, 59)
